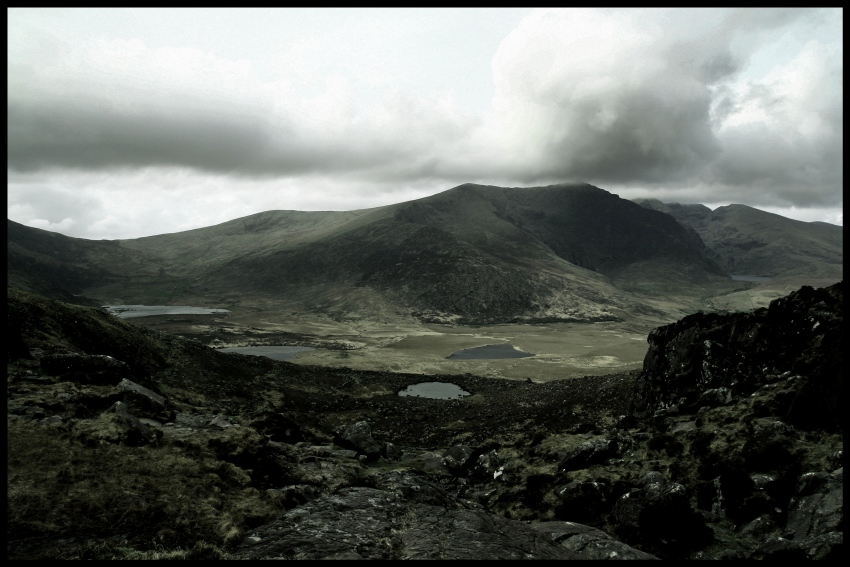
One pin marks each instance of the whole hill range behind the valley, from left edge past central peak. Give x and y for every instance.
(473, 254)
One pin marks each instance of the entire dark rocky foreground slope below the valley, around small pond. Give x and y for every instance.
(128, 443)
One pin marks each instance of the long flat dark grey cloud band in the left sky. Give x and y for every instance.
(87, 134)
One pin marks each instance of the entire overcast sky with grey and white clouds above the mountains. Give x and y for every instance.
(131, 122)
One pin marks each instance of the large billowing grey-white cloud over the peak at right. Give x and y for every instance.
(659, 97)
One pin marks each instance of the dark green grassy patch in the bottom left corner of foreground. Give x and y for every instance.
(151, 502)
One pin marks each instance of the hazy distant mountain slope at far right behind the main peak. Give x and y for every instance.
(745, 240)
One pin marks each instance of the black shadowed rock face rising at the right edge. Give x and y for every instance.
(799, 334)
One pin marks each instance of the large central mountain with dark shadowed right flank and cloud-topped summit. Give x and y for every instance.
(486, 254)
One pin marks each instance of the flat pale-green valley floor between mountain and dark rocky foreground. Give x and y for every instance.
(396, 344)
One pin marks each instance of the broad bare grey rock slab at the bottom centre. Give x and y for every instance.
(405, 517)
